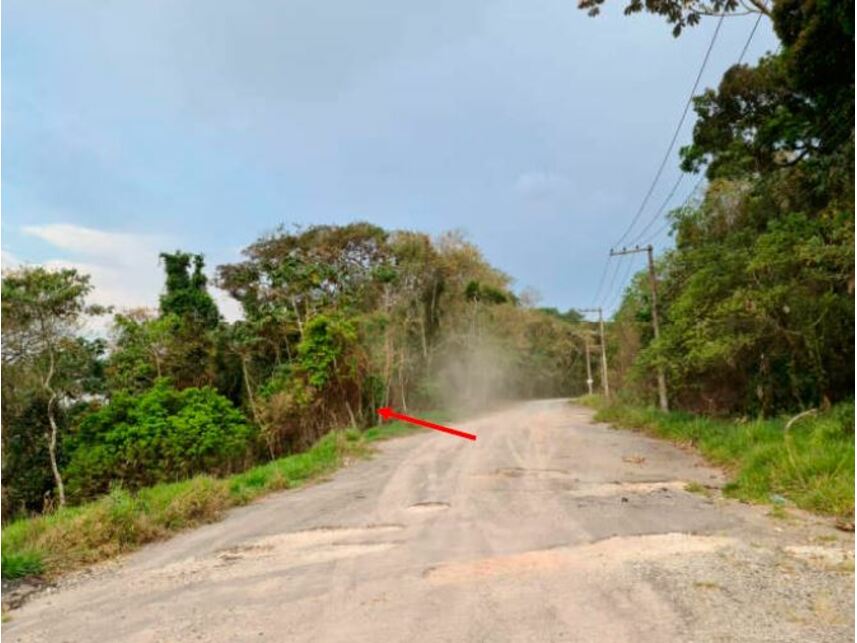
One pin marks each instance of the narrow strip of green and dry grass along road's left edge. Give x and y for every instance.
(122, 521)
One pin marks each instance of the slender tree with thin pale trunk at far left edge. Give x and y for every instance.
(42, 311)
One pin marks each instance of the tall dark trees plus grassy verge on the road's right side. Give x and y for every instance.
(756, 298)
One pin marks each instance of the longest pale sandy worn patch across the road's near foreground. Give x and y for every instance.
(611, 552)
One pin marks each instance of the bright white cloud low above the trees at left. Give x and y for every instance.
(124, 267)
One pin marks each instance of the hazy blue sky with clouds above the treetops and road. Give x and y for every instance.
(134, 127)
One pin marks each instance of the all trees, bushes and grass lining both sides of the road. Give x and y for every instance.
(175, 414)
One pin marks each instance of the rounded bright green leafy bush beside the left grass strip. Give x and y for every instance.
(160, 435)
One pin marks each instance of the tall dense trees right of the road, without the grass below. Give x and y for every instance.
(757, 310)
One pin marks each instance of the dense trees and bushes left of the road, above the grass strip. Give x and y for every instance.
(337, 322)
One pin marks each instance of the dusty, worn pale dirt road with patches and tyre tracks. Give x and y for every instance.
(547, 528)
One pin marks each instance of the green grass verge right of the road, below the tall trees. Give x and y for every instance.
(811, 466)
